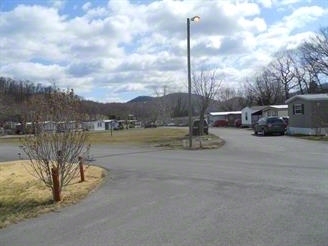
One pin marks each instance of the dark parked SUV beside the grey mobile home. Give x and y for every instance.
(270, 125)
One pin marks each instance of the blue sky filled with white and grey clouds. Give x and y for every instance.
(116, 50)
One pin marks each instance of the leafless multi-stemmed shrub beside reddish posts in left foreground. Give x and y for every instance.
(57, 143)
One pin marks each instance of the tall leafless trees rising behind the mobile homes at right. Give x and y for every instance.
(303, 70)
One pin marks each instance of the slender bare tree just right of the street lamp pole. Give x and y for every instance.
(206, 86)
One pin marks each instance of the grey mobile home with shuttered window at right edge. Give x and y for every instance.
(308, 114)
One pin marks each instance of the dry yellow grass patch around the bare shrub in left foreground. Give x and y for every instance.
(23, 196)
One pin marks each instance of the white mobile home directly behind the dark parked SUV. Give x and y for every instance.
(250, 115)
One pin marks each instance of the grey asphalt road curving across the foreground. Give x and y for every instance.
(270, 191)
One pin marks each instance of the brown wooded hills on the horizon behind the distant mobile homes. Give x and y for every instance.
(14, 96)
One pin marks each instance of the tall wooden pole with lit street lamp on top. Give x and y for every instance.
(195, 19)
